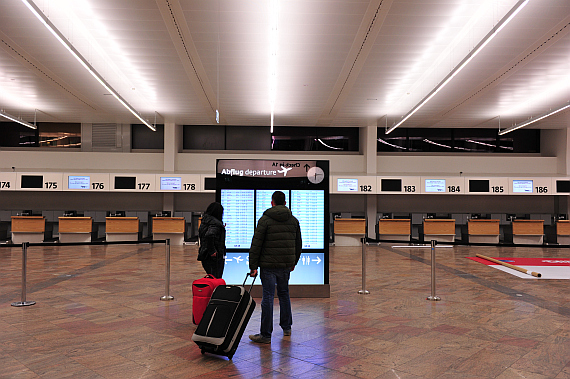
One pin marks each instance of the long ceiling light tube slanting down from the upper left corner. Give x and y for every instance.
(61, 38)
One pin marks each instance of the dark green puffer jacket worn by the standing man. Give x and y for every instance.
(277, 241)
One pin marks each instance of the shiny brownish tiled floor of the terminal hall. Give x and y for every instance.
(98, 315)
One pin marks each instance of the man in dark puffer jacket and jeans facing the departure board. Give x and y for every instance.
(275, 248)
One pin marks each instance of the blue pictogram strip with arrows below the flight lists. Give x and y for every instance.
(309, 270)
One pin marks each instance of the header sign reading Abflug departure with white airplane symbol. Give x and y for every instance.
(265, 169)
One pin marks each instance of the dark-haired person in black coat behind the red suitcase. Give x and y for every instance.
(212, 234)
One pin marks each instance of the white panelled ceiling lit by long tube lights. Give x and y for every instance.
(341, 63)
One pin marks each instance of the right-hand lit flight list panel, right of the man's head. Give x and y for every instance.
(308, 207)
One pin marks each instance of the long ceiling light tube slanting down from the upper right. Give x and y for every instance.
(502, 23)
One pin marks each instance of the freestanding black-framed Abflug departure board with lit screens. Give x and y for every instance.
(244, 187)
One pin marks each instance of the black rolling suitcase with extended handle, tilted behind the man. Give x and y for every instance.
(225, 319)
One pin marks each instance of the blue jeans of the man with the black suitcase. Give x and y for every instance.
(271, 277)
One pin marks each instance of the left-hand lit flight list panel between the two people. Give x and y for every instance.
(238, 217)
